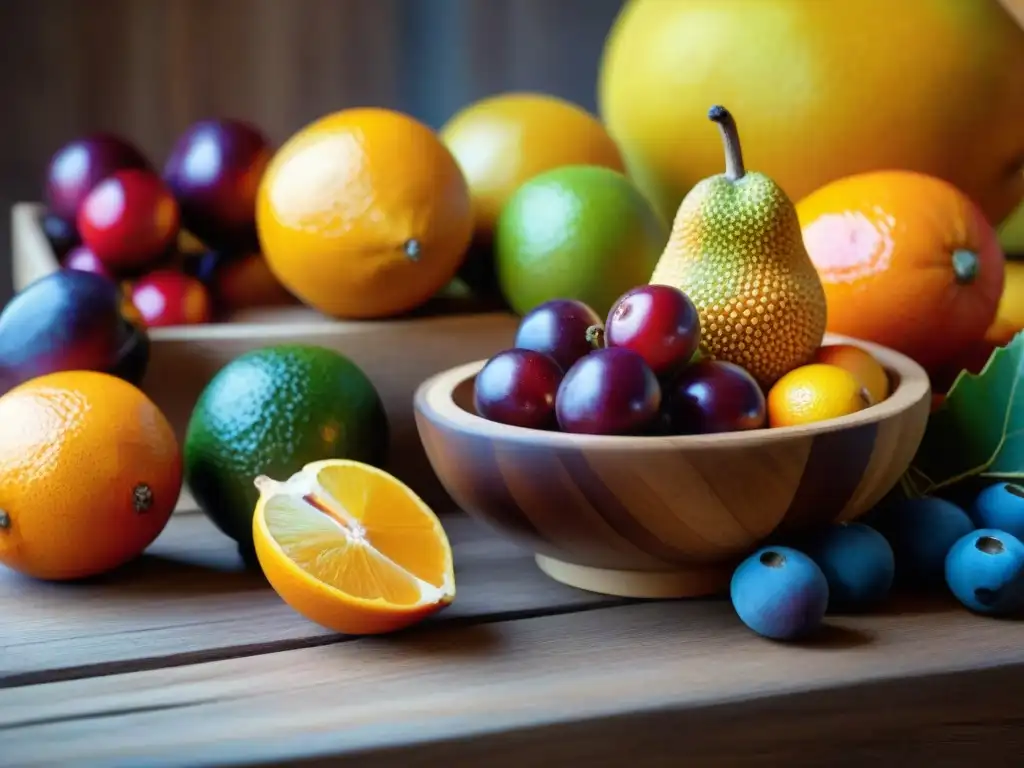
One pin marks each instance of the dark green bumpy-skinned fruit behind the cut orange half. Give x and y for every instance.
(271, 412)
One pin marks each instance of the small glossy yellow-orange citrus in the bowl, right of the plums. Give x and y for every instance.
(816, 393)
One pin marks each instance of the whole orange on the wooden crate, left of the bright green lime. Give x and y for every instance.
(364, 214)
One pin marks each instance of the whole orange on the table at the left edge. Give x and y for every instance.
(90, 475)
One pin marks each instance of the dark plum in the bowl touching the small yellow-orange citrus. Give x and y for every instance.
(713, 397)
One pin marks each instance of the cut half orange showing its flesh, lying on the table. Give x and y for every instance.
(352, 548)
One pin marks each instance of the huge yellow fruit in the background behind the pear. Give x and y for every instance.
(824, 90)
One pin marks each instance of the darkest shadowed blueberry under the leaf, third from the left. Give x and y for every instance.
(921, 533)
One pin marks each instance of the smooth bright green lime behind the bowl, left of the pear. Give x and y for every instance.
(579, 233)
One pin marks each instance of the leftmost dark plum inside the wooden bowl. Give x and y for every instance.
(519, 388)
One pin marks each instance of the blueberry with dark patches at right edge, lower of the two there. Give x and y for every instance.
(986, 572)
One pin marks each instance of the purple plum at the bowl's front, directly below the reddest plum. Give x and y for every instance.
(611, 392)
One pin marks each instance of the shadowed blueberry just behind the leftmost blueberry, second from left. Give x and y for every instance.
(858, 563)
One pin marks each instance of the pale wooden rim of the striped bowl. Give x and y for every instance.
(435, 401)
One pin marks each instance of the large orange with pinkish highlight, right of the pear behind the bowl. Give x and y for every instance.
(907, 261)
